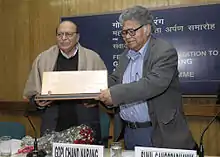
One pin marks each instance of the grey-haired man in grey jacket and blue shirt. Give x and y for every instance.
(145, 87)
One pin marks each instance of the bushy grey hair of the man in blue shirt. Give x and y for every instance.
(140, 14)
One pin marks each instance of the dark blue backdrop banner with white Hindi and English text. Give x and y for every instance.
(194, 31)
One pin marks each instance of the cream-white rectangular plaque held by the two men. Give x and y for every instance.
(59, 85)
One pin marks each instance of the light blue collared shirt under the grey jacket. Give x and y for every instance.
(137, 111)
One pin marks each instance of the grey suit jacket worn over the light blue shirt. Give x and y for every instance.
(160, 88)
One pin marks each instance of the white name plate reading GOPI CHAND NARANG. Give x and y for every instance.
(77, 150)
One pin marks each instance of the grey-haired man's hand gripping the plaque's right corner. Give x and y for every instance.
(105, 97)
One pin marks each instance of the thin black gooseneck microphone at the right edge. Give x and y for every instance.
(201, 147)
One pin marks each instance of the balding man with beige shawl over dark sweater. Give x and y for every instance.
(66, 55)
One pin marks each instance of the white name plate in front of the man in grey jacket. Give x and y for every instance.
(163, 152)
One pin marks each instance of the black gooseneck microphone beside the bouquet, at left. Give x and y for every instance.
(35, 152)
